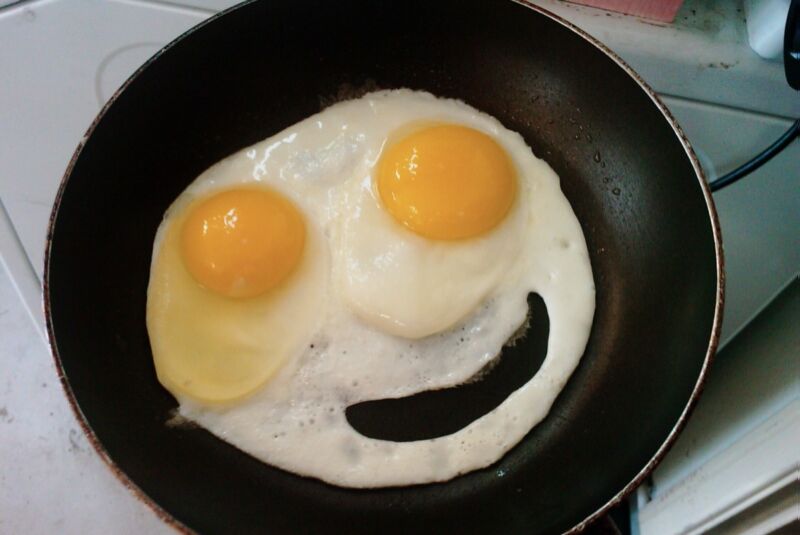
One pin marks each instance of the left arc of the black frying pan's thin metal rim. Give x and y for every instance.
(123, 478)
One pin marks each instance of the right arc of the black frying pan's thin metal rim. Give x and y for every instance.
(714, 337)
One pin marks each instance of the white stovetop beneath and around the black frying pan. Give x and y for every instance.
(68, 56)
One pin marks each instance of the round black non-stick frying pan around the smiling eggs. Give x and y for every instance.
(628, 171)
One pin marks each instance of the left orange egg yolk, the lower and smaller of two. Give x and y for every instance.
(242, 242)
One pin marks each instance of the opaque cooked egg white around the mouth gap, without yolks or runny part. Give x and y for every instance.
(362, 340)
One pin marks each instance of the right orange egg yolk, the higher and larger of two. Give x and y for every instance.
(446, 182)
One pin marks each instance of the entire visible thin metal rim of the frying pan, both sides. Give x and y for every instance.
(581, 526)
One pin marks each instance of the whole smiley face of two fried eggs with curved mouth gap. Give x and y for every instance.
(382, 247)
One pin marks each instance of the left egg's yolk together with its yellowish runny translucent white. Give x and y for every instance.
(226, 307)
